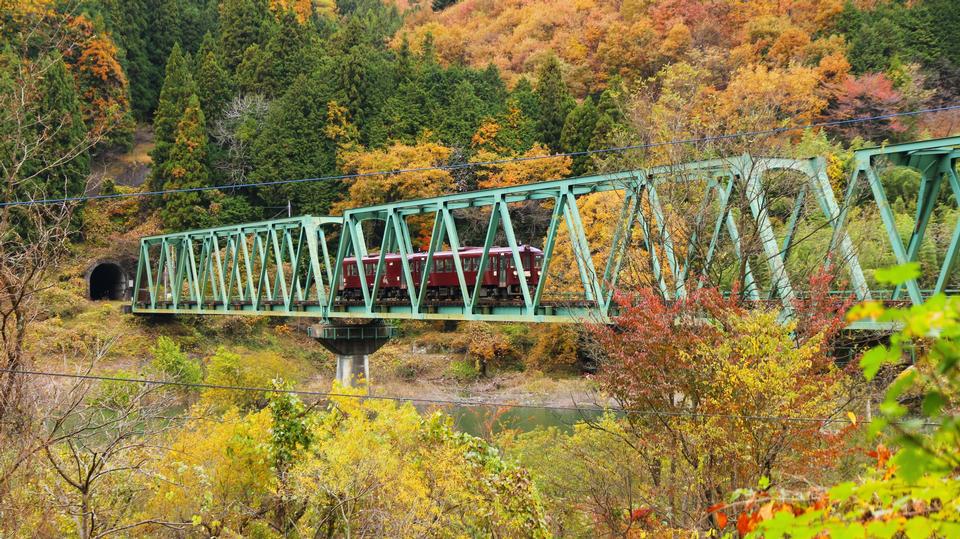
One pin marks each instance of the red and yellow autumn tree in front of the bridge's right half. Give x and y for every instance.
(718, 387)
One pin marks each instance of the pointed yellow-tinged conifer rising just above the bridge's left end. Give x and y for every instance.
(185, 169)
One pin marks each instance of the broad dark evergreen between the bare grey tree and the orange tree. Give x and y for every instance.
(294, 144)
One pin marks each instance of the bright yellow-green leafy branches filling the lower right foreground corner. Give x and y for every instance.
(912, 491)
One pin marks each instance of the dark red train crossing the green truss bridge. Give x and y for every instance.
(500, 278)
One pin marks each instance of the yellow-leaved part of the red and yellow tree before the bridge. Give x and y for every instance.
(759, 370)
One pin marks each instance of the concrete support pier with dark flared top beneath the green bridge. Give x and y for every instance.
(352, 345)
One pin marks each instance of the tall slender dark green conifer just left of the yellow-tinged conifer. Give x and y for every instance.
(178, 86)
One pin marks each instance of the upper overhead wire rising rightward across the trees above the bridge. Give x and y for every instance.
(461, 166)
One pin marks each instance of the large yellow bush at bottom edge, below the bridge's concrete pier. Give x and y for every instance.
(380, 469)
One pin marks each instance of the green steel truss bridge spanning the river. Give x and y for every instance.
(766, 223)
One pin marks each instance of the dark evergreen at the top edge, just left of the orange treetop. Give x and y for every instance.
(242, 23)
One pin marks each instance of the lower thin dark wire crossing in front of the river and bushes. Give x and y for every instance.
(465, 404)
